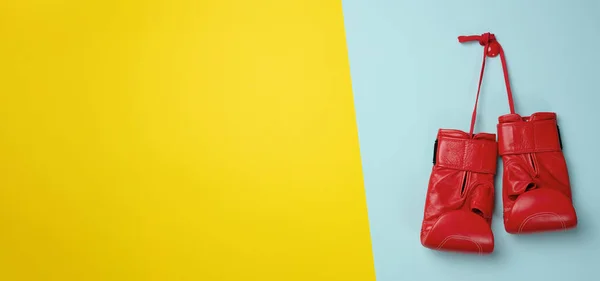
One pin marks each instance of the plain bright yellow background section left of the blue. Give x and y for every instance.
(178, 140)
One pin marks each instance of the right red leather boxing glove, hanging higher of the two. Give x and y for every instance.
(535, 186)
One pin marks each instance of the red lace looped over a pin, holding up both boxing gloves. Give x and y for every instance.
(491, 49)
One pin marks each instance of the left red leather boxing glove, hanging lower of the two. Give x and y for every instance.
(460, 200)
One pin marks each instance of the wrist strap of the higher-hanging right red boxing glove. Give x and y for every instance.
(528, 137)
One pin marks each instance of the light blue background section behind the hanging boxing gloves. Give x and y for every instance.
(411, 76)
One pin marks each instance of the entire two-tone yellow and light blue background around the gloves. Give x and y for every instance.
(290, 140)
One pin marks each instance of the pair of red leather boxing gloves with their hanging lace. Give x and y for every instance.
(536, 193)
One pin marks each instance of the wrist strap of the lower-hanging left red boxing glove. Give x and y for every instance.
(474, 155)
